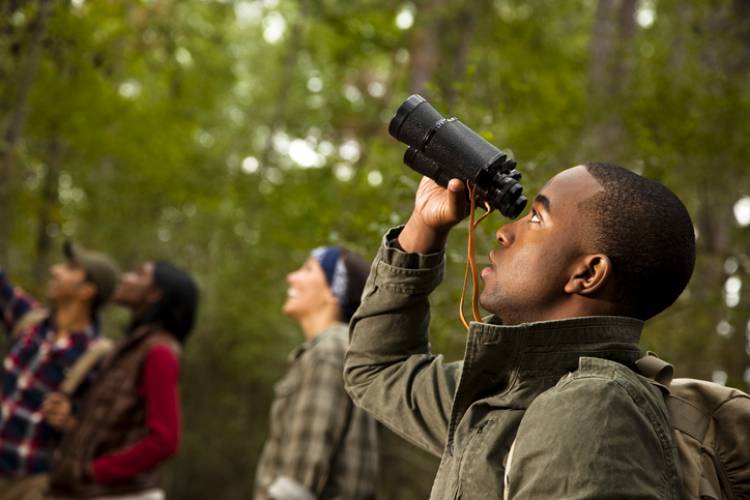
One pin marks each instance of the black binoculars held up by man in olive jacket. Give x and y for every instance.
(444, 149)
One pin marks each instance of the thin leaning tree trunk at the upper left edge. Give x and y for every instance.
(16, 122)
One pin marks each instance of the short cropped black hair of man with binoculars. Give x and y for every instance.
(647, 233)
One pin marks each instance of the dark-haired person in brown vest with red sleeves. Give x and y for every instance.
(129, 422)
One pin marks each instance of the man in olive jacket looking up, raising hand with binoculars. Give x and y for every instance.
(546, 402)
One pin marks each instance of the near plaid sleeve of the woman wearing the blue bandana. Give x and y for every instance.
(319, 414)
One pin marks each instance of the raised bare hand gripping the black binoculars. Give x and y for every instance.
(436, 211)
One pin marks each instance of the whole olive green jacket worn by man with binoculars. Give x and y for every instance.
(559, 393)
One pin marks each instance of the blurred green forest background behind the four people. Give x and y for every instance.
(234, 136)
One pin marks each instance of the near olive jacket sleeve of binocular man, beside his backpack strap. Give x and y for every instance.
(589, 438)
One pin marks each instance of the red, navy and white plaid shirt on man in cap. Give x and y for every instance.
(34, 366)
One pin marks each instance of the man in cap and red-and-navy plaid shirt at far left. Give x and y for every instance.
(42, 346)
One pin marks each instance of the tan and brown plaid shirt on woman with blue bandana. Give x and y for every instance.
(318, 439)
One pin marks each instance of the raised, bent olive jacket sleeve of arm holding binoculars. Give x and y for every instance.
(389, 370)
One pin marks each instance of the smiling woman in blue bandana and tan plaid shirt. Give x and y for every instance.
(319, 445)
